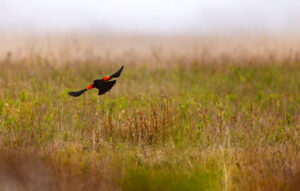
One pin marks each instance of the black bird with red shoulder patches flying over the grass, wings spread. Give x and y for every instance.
(104, 85)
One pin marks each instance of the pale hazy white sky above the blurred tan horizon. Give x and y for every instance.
(150, 16)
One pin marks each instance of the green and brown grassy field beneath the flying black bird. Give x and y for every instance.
(188, 125)
